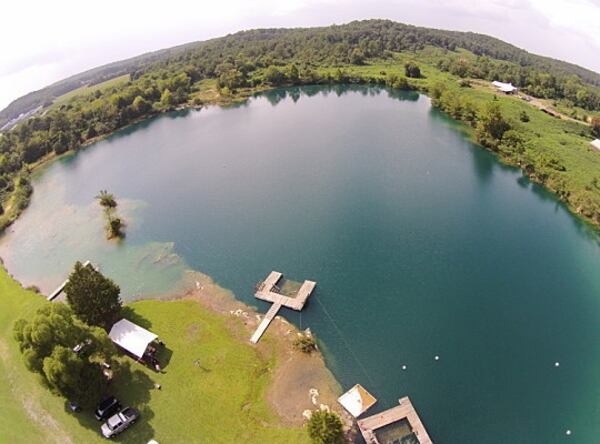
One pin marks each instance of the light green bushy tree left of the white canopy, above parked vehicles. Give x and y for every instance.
(66, 353)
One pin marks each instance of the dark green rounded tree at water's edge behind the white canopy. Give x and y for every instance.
(94, 298)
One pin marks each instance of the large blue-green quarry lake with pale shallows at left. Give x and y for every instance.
(422, 244)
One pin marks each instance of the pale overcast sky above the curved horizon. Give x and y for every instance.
(45, 41)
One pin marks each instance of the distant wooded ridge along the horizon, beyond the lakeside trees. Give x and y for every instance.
(332, 44)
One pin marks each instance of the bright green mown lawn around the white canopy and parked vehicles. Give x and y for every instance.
(221, 400)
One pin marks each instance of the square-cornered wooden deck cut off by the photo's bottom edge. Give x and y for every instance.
(369, 426)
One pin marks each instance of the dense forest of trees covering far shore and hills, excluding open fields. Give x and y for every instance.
(262, 58)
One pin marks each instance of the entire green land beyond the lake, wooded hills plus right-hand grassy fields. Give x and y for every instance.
(446, 65)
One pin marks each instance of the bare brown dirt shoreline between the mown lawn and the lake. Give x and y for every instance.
(295, 377)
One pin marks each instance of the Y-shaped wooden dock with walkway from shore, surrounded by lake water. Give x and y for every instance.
(266, 292)
